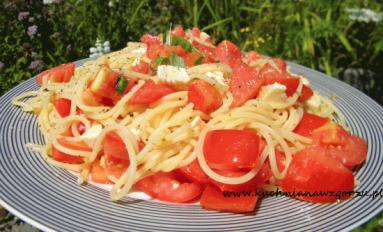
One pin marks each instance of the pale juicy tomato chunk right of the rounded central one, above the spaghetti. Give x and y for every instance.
(244, 84)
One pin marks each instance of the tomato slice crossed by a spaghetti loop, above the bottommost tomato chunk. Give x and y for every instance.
(262, 176)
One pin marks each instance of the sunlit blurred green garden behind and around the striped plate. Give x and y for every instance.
(343, 39)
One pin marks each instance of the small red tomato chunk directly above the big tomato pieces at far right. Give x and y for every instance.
(309, 123)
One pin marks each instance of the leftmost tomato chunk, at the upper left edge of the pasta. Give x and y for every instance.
(62, 73)
